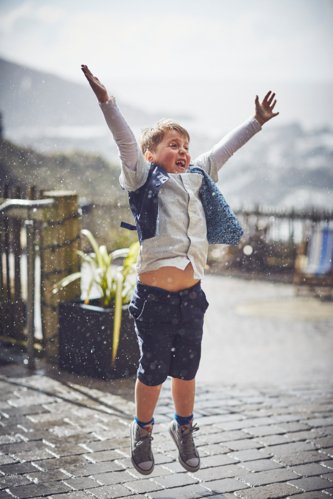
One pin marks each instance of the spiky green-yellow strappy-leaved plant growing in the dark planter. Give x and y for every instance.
(114, 282)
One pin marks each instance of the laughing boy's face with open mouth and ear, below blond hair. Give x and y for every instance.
(172, 153)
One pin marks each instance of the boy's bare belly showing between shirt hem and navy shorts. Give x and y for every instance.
(169, 278)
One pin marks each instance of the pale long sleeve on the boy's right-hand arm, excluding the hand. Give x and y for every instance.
(213, 160)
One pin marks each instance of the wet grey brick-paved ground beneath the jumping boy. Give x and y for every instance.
(264, 407)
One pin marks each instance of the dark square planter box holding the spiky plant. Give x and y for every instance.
(85, 341)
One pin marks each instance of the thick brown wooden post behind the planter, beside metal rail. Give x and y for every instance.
(60, 241)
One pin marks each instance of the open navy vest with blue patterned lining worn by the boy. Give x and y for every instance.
(222, 224)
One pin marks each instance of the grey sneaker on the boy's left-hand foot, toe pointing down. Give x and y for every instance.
(141, 453)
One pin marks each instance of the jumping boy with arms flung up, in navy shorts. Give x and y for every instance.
(168, 304)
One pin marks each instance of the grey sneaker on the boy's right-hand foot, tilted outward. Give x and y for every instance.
(183, 437)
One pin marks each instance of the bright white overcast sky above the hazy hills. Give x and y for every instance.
(190, 56)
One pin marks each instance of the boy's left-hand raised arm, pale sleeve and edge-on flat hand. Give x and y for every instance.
(134, 167)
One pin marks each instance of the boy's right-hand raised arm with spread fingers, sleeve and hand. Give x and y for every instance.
(213, 160)
